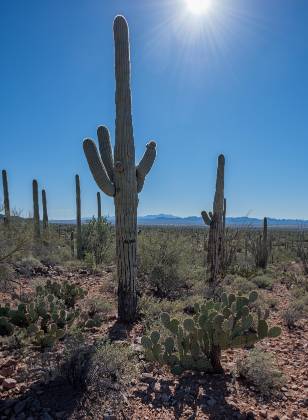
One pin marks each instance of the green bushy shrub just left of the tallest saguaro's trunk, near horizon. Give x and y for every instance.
(97, 241)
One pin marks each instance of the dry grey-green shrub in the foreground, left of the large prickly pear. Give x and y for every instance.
(104, 370)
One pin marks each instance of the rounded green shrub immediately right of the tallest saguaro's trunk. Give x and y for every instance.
(162, 265)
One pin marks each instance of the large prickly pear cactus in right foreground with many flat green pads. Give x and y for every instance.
(196, 344)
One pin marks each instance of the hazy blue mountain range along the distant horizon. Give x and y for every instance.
(171, 220)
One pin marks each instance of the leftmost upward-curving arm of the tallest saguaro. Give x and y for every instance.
(97, 168)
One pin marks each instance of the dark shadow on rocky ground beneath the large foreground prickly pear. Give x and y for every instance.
(193, 394)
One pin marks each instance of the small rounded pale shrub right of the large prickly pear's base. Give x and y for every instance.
(259, 370)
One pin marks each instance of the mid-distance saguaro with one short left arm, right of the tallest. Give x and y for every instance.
(215, 220)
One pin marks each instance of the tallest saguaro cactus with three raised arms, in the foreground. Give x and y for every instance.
(118, 176)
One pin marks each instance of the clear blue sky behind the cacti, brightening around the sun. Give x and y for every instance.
(232, 81)
